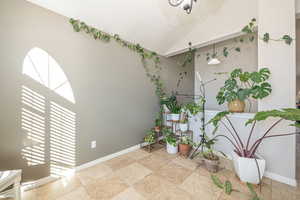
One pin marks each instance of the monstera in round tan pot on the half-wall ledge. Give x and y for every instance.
(241, 86)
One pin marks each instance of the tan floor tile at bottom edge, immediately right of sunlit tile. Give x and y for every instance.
(106, 188)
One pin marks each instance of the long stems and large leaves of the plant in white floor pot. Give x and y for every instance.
(249, 148)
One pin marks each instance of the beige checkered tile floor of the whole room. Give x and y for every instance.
(157, 176)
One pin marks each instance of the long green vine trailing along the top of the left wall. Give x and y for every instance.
(145, 55)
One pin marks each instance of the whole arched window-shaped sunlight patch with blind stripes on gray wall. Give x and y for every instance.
(46, 118)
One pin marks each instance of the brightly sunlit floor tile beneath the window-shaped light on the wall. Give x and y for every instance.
(58, 188)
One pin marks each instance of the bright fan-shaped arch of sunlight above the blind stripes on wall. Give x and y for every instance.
(40, 66)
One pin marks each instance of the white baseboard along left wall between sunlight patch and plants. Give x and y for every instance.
(108, 157)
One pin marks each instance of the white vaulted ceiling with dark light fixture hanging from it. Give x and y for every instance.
(156, 25)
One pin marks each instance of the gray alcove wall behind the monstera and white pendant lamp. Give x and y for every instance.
(246, 59)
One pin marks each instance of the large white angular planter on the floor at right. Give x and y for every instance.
(246, 168)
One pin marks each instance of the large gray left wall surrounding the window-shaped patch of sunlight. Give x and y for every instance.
(115, 102)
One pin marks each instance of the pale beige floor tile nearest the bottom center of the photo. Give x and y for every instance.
(152, 185)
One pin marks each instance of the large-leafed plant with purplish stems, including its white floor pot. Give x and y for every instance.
(248, 165)
